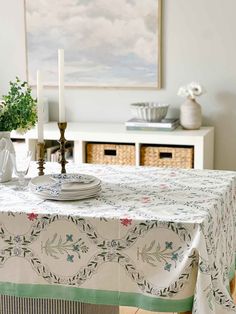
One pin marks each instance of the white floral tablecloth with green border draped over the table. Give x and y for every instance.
(158, 239)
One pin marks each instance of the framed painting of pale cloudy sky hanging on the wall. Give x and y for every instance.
(107, 43)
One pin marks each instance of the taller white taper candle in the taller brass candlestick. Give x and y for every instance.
(62, 110)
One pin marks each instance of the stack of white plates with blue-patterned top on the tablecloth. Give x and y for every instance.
(65, 187)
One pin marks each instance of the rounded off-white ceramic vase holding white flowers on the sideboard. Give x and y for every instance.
(190, 114)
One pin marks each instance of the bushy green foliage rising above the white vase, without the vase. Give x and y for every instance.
(18, 111)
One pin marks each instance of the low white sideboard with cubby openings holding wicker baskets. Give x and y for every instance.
(80, 133)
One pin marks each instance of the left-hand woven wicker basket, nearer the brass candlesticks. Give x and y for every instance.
(112, 154)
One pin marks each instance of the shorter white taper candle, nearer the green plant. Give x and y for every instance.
(40, 106)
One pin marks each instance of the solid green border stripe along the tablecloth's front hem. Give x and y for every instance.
(95, 297)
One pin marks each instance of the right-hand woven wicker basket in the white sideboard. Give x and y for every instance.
(160, 156)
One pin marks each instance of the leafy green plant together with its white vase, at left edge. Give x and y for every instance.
(18, 111)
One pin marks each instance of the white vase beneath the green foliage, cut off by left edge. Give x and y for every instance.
(6, 143)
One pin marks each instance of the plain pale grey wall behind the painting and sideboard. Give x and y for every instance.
(199, 44)
